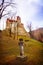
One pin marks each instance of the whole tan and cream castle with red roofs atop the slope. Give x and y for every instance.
(16, 26)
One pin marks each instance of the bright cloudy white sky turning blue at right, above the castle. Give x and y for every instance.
(30, 11)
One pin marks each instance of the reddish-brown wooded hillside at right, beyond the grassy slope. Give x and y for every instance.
(38, 34)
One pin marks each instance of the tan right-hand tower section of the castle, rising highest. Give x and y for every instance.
(21, 29)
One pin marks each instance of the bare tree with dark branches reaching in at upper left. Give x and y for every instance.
(3, 6)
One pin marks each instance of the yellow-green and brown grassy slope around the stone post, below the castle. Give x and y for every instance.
(9, 50)
